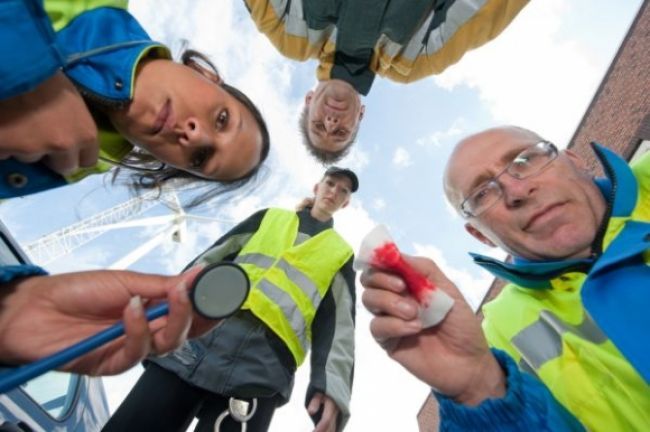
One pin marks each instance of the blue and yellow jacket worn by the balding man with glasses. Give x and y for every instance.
(579, 326)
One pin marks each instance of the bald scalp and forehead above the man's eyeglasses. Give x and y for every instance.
(467, 158)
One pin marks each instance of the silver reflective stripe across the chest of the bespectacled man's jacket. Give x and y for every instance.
(542, 340)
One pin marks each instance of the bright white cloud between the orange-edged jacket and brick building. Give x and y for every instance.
(531, 75)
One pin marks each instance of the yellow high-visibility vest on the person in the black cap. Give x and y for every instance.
(289, 277)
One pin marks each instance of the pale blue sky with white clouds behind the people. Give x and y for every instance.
(540, 73)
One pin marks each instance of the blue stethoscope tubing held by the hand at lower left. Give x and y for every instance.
(20, 375)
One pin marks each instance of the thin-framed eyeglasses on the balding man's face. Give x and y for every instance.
(528, 163)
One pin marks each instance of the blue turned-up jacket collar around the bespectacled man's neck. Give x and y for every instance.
(620, 189)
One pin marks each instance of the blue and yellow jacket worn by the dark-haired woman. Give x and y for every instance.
(98, 50)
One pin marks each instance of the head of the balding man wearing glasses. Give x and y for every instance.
(554, 213)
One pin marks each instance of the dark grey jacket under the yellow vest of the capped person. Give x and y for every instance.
(242, 357)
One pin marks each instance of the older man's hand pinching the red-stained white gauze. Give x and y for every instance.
(453, 356)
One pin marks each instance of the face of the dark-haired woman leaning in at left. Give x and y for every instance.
(187, 120)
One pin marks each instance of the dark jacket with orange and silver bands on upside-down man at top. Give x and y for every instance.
(403, 40)
